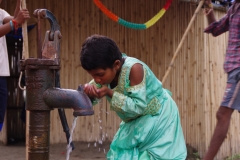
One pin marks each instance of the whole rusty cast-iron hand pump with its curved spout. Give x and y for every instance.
(43, 92)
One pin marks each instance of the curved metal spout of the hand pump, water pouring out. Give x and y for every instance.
(68, 98)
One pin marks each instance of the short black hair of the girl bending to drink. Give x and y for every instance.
(99, 52)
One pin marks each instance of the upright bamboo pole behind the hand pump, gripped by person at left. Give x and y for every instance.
(25, 55)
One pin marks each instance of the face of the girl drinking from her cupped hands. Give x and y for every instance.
(105, 76)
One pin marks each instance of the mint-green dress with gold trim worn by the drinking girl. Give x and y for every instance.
(150, 127)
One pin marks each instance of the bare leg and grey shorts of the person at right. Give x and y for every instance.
(230, 102)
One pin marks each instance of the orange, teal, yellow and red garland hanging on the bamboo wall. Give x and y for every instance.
(130, 24)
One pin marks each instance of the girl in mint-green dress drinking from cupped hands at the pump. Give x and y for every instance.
(150, 127)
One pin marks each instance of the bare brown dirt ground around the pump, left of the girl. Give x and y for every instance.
(17, 151)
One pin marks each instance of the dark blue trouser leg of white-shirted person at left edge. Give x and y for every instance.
(3, 99)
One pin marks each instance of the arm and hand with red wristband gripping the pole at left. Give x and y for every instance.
(19, 16)
